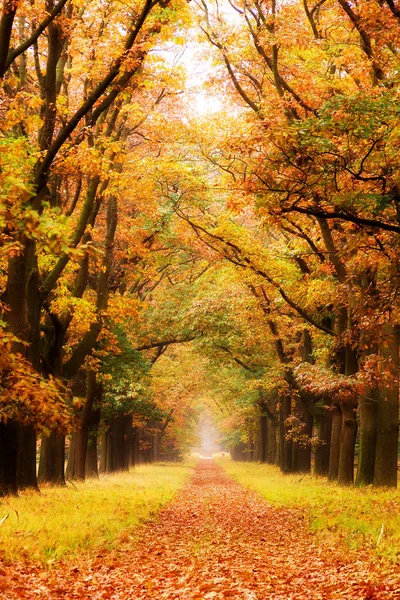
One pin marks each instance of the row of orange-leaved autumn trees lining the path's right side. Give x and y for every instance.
(312, 172)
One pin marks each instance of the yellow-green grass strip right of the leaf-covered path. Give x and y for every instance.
(360, 518)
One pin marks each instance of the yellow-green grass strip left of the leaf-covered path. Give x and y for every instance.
(100, 513)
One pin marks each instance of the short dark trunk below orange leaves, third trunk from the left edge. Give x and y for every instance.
(52, 459)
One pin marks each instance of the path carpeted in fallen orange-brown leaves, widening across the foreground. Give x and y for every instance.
(214, 540)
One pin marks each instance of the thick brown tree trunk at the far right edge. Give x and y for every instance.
(388, 417)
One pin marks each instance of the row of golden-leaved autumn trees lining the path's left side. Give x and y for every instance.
(78, 222)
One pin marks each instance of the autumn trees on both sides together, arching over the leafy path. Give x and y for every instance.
(155, 260)
